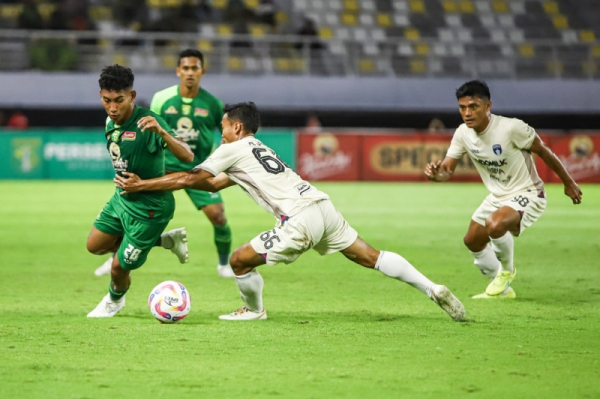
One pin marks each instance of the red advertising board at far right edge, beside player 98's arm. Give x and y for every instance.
(580, 153)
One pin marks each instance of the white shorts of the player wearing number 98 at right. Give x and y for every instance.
(529, 204)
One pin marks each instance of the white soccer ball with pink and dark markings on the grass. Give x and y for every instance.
(169, 302)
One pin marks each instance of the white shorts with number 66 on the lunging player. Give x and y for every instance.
(319, 226)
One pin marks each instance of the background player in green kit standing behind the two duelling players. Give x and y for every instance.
(195, 114)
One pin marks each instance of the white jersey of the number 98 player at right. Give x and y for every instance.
(500, 154)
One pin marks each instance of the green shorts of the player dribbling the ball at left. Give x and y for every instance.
(138, 237)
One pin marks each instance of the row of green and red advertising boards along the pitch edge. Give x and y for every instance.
(338, 155)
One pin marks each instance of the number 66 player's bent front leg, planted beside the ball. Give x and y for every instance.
(244, 261)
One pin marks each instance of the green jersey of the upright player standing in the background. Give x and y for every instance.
(193, 119)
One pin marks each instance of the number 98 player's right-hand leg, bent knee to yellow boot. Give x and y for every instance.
(501, 226)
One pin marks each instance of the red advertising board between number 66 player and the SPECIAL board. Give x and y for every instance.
(325, 156)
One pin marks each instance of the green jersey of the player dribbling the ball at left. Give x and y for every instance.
(142, 153)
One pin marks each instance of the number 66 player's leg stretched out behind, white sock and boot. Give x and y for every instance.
(395, 266)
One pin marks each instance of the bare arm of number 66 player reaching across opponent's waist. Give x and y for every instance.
(198, 179)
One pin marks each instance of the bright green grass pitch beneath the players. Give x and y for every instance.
(335, 330)
